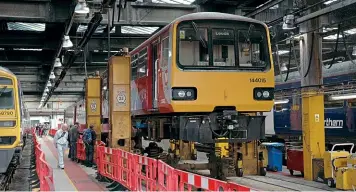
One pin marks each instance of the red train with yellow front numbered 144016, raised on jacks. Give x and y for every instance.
(206, 77)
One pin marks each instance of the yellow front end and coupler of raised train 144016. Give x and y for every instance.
(222, 78)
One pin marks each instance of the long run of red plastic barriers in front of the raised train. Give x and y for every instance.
(140, 173)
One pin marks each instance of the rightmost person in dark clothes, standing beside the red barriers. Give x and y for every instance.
(89, 137)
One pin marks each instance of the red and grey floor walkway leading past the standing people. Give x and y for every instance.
(74, 177)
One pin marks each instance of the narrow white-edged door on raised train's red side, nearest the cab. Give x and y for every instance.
(154, 53)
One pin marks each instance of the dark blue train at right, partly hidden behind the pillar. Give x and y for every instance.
(340, 121)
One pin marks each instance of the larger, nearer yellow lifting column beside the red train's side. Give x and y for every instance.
(120, 102)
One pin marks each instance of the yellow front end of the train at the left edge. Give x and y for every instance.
(10, 126)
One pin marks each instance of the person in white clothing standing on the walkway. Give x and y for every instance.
(61, 143)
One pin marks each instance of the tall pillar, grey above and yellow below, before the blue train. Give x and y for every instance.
(312, 98)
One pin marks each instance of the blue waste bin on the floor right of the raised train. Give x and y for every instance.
(275, 156)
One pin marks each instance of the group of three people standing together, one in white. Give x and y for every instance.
(67, 137)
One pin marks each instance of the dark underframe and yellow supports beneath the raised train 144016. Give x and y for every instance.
(232, 139)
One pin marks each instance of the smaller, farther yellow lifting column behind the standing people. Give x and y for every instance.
(93, 104)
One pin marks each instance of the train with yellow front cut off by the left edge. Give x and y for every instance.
(14, 123)
